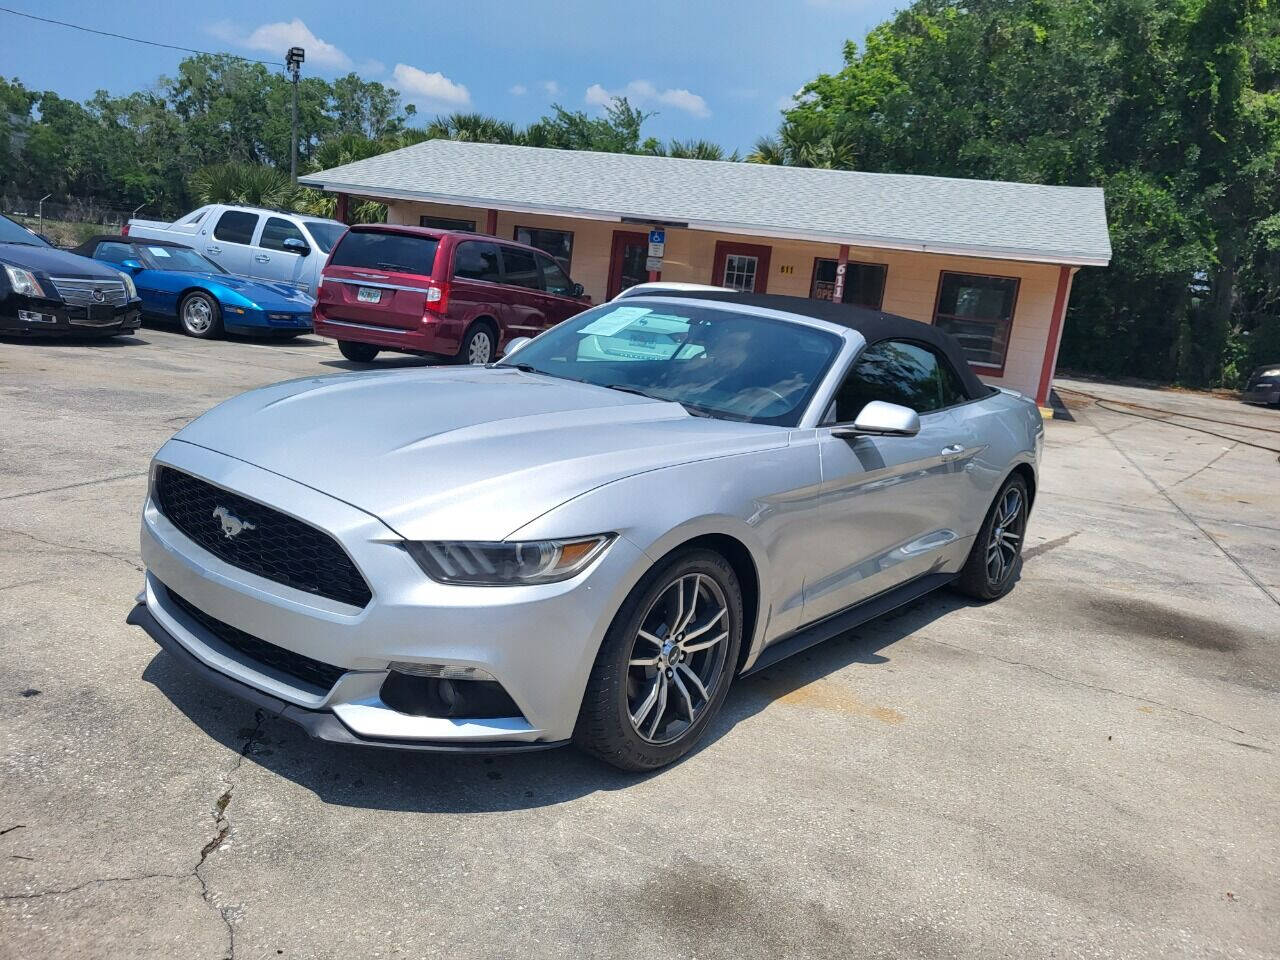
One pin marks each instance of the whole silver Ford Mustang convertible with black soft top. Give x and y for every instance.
(589, 541)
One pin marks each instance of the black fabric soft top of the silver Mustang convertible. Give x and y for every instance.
(875, 326)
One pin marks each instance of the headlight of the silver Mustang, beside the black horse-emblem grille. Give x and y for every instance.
(488, 564)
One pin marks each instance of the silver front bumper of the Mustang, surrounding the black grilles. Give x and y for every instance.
(538, 642)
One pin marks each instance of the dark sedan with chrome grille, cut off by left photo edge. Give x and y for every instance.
(45, 290)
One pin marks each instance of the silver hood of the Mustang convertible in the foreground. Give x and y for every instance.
(465, 452)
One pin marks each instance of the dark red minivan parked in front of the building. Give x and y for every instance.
(447, 294)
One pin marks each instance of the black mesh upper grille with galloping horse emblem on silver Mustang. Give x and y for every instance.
(259, 540)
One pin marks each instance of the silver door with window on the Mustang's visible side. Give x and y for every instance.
(892, 506)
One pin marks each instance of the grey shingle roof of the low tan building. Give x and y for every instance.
(935, 214)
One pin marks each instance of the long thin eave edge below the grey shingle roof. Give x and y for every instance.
(963, 250)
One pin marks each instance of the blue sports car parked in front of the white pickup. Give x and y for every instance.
(177, 282)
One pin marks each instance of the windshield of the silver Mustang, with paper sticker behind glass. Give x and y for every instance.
(715, 362)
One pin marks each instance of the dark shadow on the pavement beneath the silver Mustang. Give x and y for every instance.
(423, 783)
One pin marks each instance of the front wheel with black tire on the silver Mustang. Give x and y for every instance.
(605, 725)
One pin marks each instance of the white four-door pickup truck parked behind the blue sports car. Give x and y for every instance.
(269, 245)
